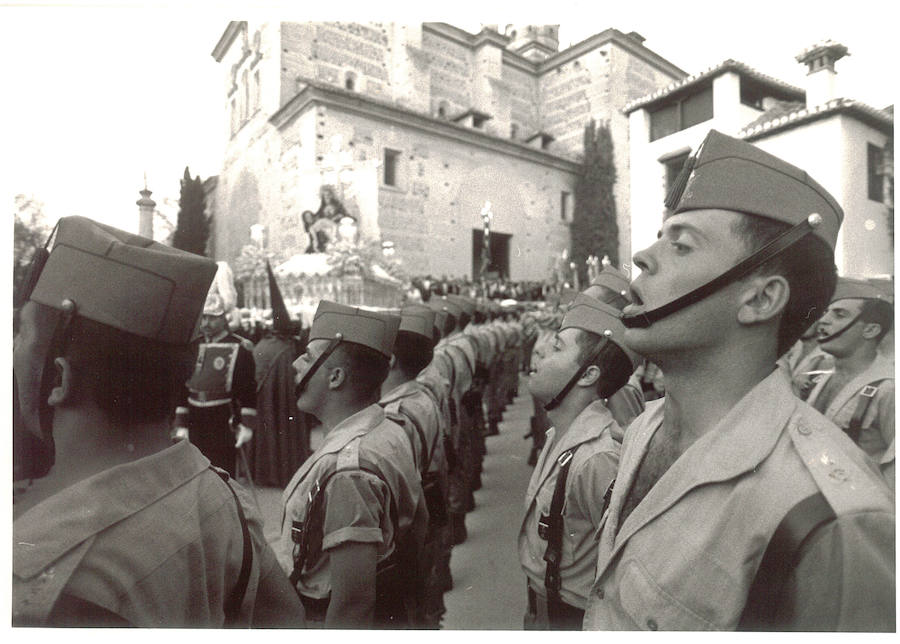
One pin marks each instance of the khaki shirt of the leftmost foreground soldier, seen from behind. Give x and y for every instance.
(166, 542)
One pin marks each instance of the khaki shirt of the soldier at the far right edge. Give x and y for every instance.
(877, 436)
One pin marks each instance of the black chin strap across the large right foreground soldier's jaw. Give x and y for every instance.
(745, 266)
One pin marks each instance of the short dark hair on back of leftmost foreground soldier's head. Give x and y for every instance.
(131, 379)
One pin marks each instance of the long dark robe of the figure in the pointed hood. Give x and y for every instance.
(281, 441)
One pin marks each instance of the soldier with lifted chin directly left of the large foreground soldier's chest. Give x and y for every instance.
(581, 366)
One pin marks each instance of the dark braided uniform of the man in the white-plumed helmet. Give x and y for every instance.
(220, 393)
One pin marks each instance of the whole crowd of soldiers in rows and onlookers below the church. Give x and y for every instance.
(713, 442)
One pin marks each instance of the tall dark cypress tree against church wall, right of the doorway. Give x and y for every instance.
(594, 230)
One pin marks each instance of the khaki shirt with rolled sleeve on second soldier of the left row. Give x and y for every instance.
(357, 503)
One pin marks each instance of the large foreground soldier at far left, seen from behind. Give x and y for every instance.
(119, 526)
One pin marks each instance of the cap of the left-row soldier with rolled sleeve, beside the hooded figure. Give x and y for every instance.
(372, 329)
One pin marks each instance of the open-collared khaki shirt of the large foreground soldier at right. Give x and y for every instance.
(685, 558)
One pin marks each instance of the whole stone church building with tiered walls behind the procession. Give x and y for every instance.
(417, 126)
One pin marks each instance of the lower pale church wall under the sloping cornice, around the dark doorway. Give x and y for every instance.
(441, 188)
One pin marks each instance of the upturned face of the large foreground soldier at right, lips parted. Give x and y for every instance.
(693, 248)
